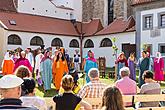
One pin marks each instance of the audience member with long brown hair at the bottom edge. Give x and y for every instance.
(112, 99)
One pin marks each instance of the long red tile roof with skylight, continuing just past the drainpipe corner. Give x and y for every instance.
(41, 24)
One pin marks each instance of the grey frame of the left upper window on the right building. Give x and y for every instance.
(144, 22)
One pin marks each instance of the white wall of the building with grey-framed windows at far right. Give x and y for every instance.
(145, 34)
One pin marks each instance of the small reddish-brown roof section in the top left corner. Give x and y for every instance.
(7, 5)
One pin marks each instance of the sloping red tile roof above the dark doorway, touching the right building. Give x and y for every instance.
(118, 26)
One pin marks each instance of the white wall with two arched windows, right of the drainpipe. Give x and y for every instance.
(107, 52)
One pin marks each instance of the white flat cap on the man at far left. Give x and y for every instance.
(10, 81)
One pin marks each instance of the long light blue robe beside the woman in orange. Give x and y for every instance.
(46, 73)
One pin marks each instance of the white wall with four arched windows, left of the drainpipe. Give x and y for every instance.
(47, 38)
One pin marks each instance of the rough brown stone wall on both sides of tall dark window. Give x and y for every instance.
(99, 9)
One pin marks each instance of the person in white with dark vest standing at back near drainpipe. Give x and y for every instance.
(77, 60)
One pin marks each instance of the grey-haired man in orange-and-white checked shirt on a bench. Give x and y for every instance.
(94, 88)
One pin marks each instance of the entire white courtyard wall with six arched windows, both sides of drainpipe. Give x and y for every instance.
(99, 51)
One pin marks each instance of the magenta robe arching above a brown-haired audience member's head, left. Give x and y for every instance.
(24, 62)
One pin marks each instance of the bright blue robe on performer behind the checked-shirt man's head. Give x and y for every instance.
(88, 65)
